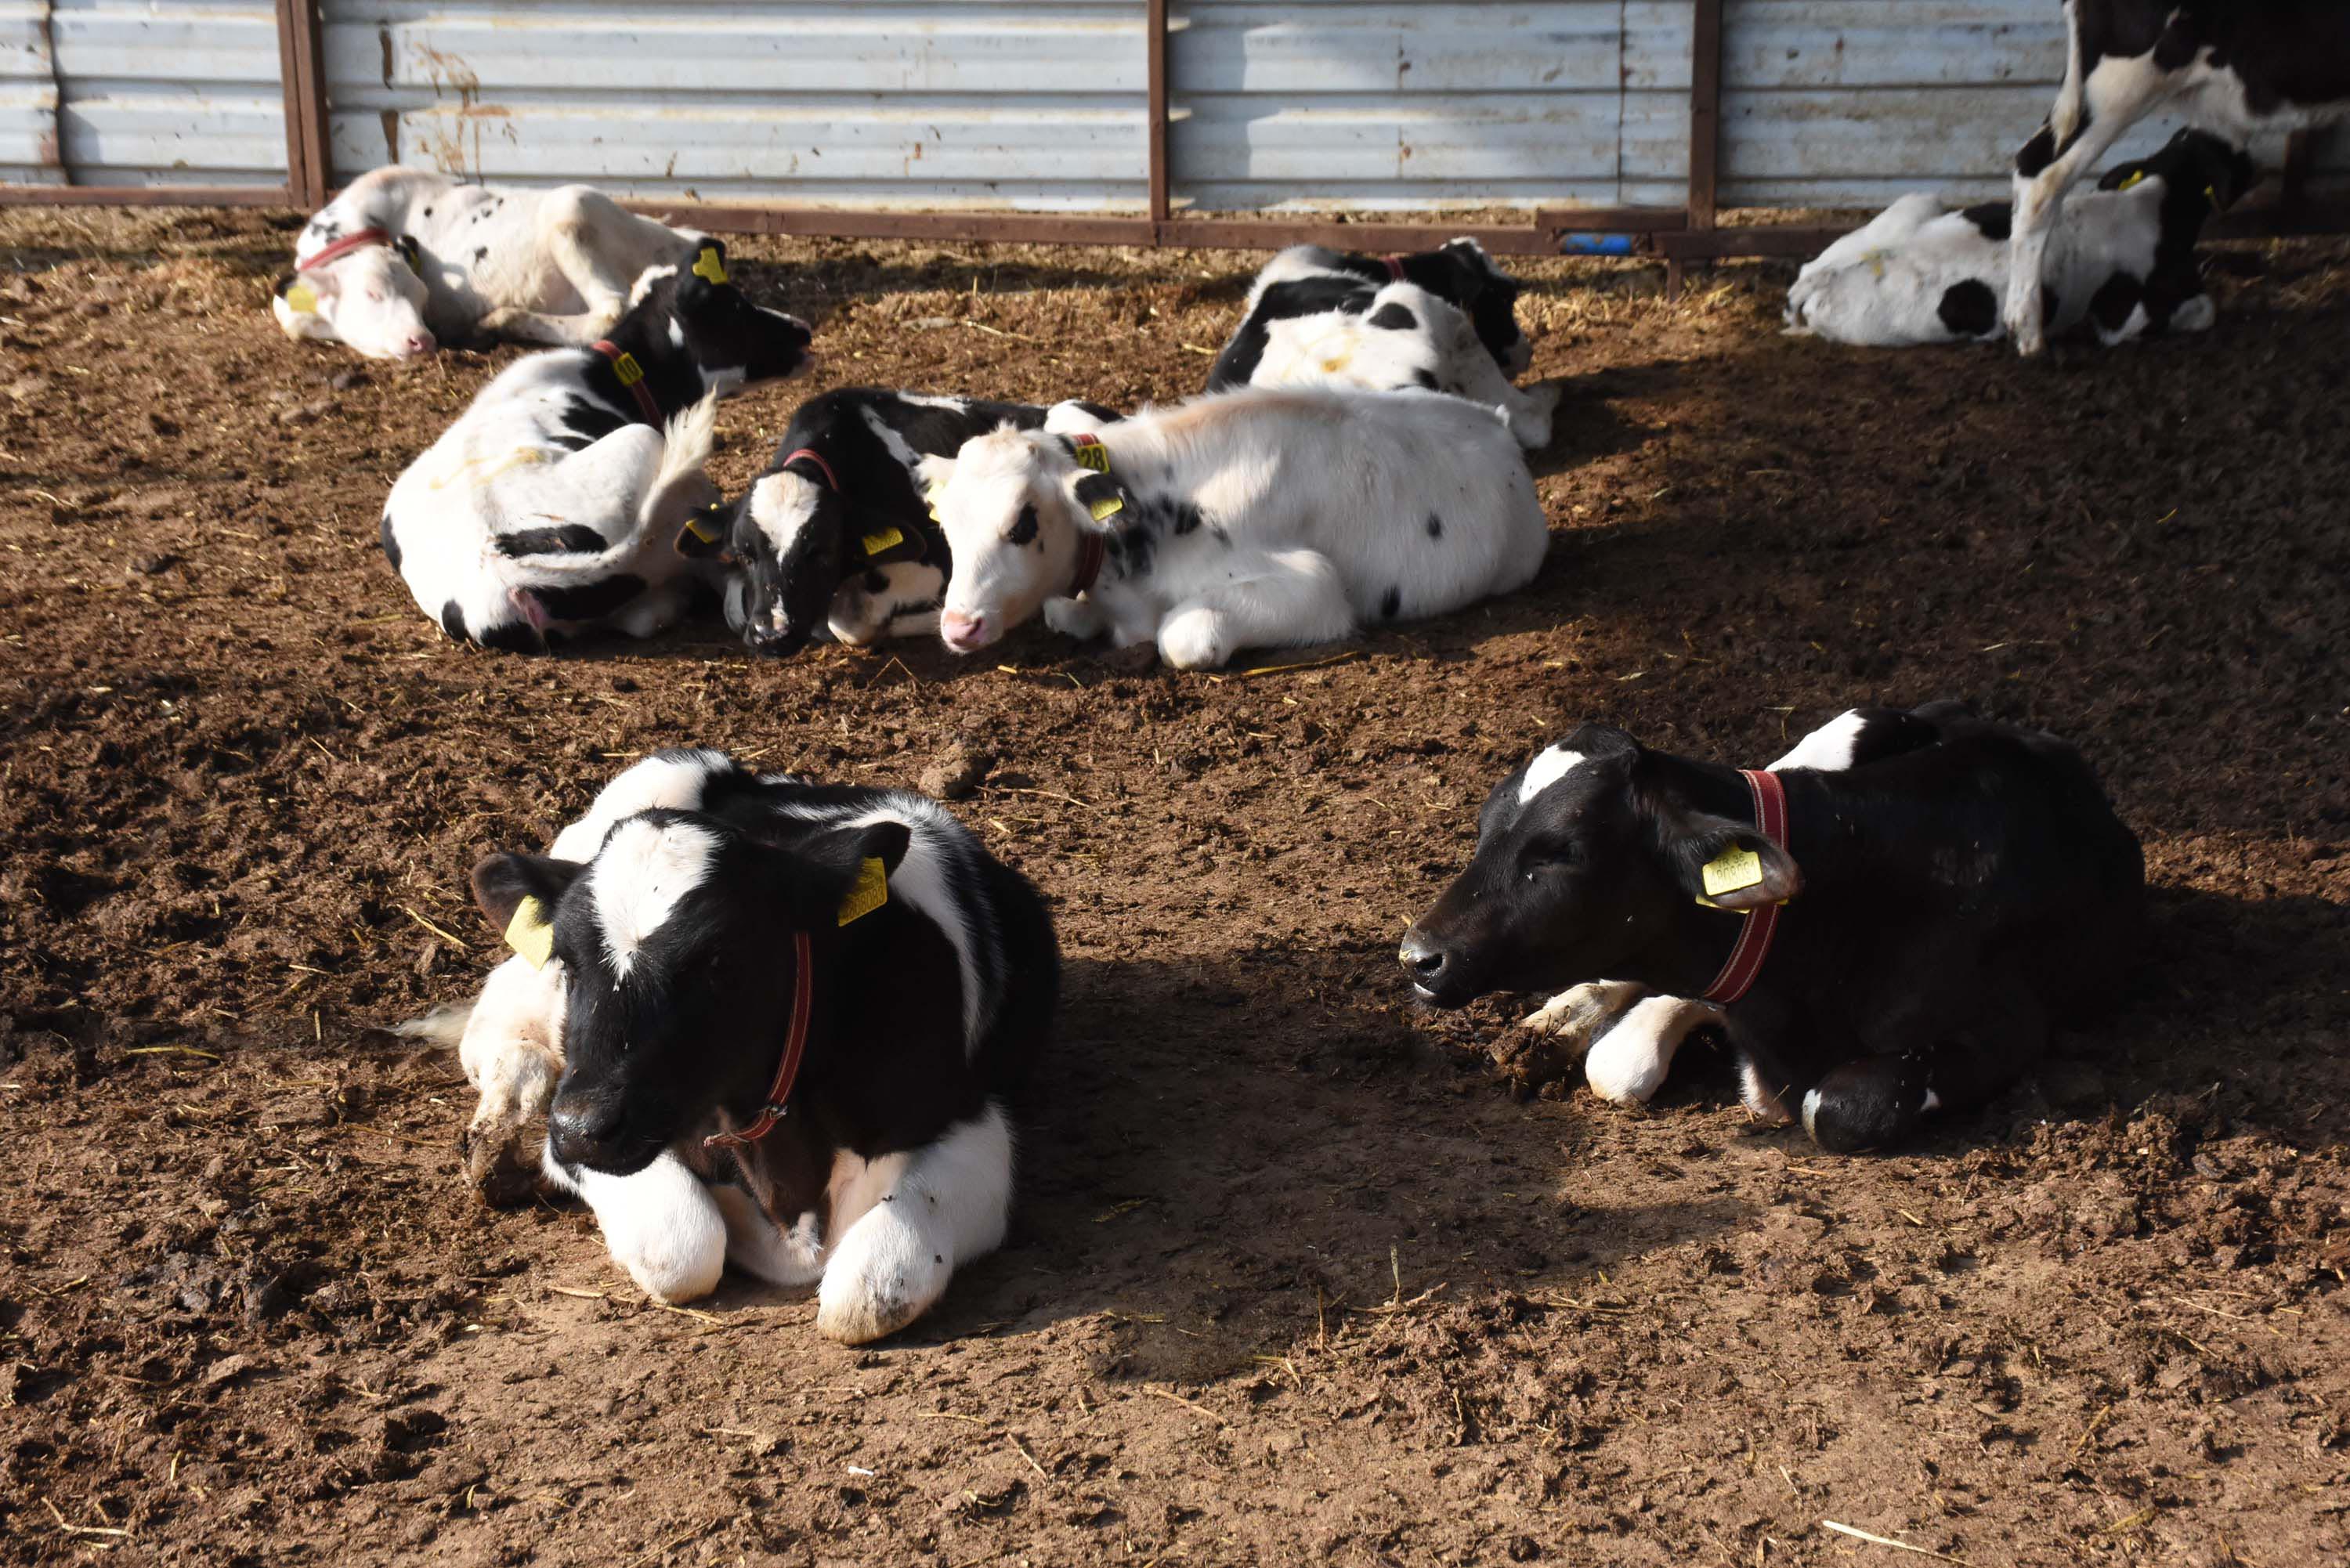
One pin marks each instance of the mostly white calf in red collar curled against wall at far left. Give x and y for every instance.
(410, 260)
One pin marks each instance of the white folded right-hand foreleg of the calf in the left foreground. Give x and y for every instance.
(908, 1221)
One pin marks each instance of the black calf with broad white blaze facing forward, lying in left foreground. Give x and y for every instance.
(774, 1024)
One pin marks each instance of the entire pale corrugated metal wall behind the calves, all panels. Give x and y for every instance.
(1042, 105)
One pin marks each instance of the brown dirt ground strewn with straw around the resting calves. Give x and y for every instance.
(1301, 1273)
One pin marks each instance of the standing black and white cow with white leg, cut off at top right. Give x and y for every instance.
(2229, 67)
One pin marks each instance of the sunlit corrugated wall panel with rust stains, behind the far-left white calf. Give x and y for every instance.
(1038, 105)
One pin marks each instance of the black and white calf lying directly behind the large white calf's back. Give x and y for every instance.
(1442, 321)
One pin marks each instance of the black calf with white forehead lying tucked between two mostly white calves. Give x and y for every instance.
(838, 532)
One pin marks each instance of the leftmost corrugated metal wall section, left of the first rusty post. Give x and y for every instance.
(140, 93)
